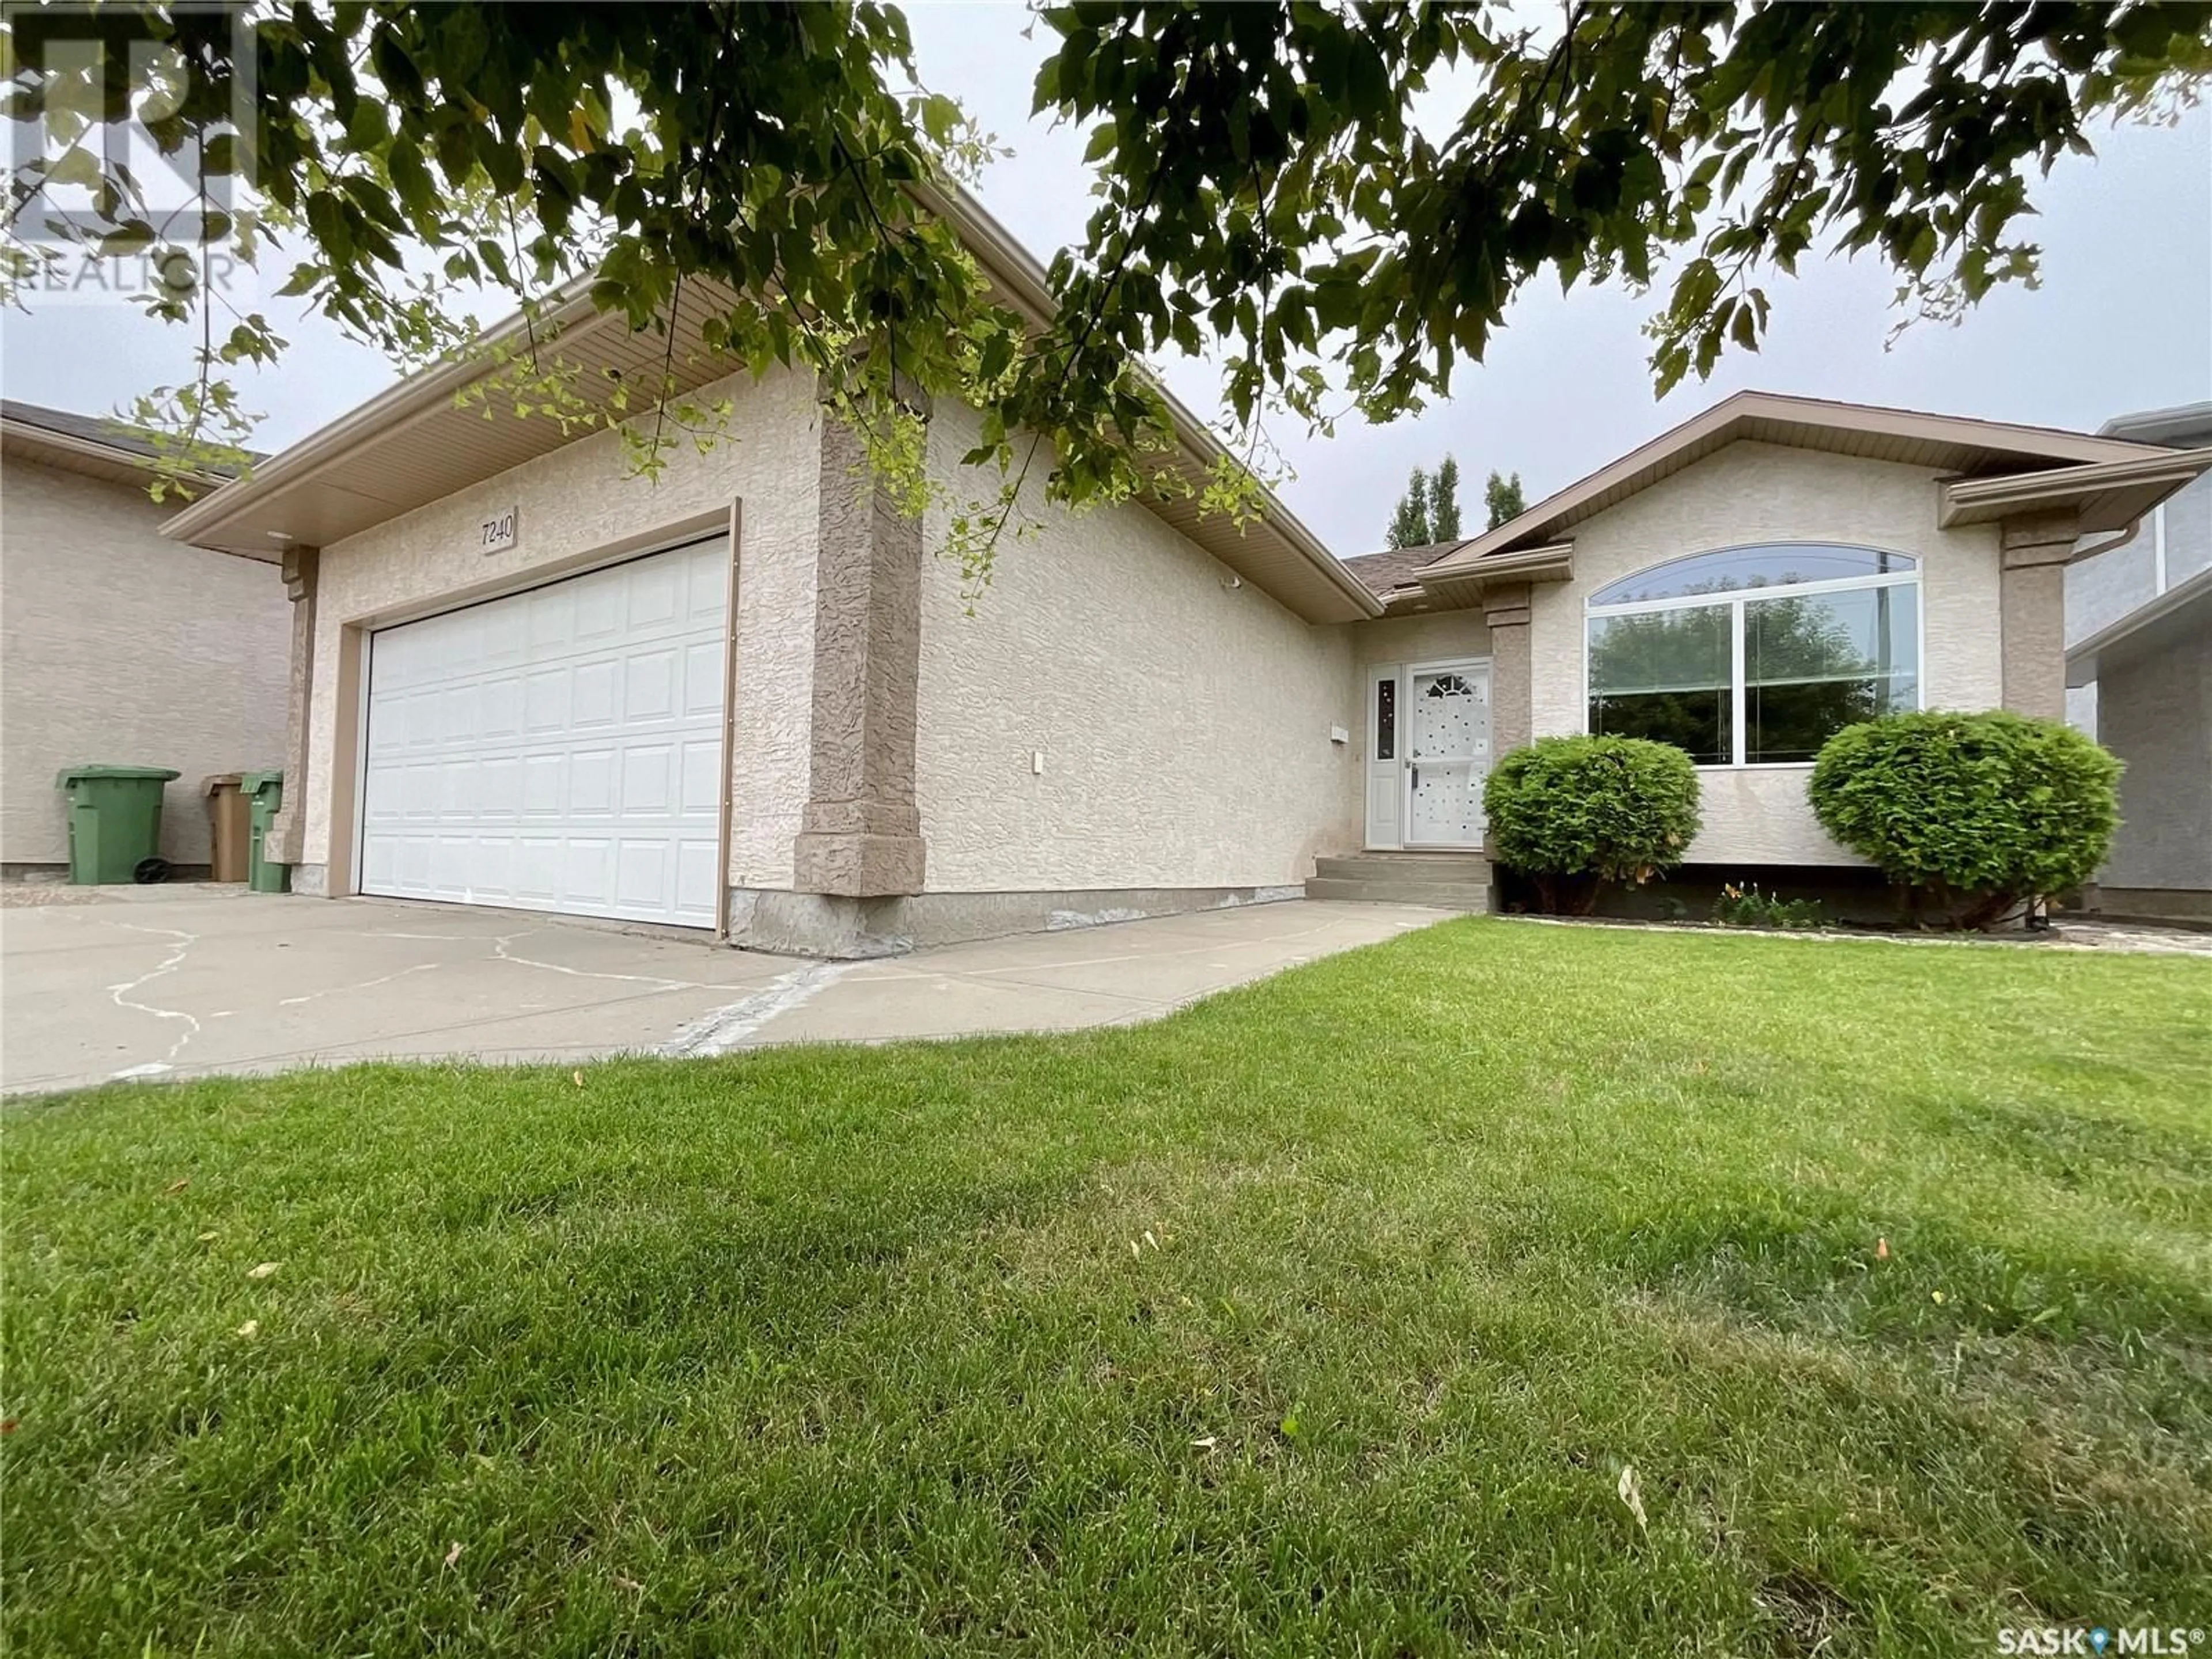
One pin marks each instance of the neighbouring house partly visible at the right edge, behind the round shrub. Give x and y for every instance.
(2140, 658)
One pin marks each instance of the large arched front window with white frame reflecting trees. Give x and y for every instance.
(1755, 656)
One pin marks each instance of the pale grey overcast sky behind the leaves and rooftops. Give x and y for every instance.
(2122, 322)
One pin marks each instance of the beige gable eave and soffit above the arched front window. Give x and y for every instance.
(1945, 444)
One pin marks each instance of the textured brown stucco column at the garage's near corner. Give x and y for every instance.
(862, 835)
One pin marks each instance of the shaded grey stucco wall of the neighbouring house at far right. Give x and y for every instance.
(2156, 711)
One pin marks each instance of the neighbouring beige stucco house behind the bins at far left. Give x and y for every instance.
(123, 647)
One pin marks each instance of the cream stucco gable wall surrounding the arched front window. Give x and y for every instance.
(1757, 492)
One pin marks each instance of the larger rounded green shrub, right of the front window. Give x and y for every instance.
(1976, 813)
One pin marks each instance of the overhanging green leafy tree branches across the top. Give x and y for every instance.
(1264, 189)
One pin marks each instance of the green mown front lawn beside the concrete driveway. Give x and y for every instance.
(1324, 1317)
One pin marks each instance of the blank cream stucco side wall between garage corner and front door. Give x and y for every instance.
(1185, 724)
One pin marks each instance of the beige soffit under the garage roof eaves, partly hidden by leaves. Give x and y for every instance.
(413, 446)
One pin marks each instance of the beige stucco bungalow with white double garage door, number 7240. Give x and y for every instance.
(747, 700)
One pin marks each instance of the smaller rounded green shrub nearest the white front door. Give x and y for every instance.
(1578, 813)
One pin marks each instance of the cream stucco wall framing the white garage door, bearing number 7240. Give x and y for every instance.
(578, 501)
